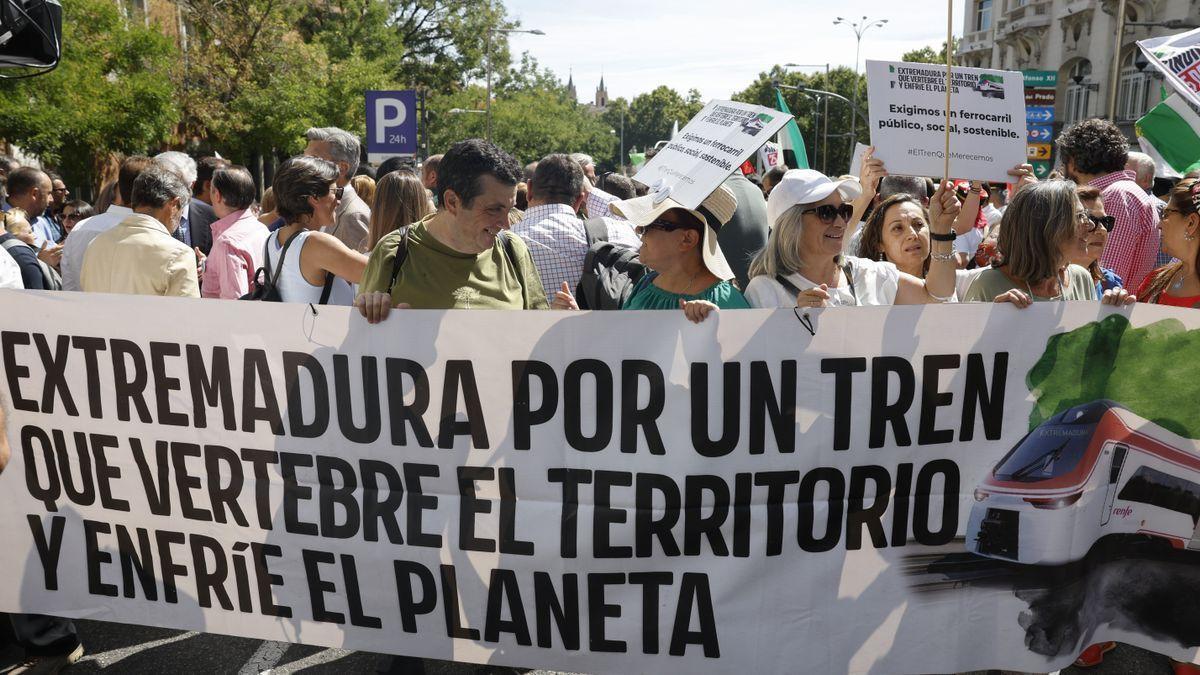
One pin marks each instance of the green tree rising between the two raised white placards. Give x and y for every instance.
(830, 153)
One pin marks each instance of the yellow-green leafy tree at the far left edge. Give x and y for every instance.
(112, 93)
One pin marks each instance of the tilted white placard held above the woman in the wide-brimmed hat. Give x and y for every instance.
(707, 151)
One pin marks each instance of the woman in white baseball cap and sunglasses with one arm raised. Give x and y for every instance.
(803, 264)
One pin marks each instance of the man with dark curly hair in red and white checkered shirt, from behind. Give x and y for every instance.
(1095, 153)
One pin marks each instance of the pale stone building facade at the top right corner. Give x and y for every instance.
(1077, 39)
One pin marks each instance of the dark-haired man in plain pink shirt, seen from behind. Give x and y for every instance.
(238, 237)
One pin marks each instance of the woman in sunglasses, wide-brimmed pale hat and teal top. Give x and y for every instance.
(680, 246)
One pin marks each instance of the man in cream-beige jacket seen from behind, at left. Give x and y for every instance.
(135, 258)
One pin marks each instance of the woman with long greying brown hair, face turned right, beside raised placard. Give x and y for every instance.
(1043, 229)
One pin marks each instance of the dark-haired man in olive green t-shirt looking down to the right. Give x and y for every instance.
(463, 256)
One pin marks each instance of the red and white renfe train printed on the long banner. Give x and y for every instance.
(1091, 473)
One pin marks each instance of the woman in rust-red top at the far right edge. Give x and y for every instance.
(1177, 284)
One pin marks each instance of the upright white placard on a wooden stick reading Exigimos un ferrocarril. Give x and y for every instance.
(908, 116)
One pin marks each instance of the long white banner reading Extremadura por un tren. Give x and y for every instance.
(909, 491)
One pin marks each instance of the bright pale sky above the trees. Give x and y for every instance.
(717, 47)
